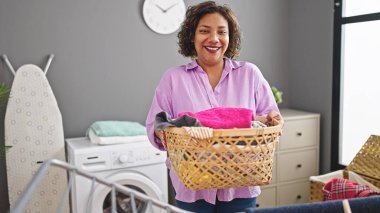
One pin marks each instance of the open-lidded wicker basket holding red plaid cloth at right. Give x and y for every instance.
(366, 164)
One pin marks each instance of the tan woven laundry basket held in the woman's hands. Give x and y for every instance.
(229, 158)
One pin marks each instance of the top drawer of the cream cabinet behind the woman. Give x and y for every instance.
(299, 133)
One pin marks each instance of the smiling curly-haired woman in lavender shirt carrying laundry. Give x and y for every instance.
(210, 35)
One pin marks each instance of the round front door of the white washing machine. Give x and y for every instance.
(101, 202)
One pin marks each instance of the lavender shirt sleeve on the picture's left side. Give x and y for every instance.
(161, 102)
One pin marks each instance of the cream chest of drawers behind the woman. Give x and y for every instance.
(296, 159)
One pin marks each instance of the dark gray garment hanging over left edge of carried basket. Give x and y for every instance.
(163, 120)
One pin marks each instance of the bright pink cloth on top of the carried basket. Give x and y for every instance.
(223, 117)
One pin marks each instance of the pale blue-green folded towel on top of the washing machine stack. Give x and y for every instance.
(117, 128)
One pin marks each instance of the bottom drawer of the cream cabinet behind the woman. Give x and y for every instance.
(294, 193)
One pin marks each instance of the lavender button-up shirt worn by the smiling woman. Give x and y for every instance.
(187, 88)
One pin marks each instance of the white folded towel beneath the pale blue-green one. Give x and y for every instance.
(115, 139)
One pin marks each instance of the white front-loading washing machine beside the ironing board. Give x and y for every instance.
(136, 165)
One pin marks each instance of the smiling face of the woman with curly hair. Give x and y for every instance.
(211, 39)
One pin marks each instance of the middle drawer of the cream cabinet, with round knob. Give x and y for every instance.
(295, 165)
